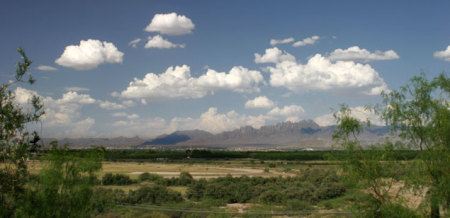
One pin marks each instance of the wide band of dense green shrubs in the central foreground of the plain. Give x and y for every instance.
(310, 187)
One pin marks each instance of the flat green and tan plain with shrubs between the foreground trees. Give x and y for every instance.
(302, 184)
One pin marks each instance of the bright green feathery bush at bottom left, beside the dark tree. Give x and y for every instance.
(64, 187)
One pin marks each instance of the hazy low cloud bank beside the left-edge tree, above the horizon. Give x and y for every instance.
(64, 118)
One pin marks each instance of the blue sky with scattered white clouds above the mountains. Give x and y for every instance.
(143, 68)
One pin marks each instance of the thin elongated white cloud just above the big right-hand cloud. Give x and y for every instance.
(355, 53)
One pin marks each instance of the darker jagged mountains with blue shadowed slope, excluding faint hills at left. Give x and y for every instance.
(296, 135)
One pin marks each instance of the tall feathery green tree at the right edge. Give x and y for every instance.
(420, 113)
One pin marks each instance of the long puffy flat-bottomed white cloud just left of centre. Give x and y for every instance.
(177, 83)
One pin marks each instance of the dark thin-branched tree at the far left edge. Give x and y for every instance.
(14, 138)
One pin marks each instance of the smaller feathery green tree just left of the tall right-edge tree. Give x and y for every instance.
(373, 167)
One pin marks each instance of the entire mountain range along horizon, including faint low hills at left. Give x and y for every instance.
(305, 134)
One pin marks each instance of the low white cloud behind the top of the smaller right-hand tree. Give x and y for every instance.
(359, 113)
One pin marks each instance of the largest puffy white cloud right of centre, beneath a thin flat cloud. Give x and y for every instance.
(320, 73)
